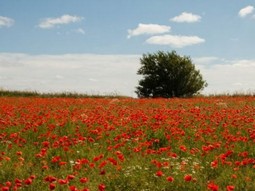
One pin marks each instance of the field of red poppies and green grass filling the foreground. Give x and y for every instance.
(99, 144)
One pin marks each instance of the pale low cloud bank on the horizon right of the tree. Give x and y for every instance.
(226, 76)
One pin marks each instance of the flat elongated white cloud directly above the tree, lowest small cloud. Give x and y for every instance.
(176, 41)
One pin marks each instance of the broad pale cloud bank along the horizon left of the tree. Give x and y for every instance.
(83, 73)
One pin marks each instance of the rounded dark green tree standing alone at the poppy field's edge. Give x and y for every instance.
(166, 74)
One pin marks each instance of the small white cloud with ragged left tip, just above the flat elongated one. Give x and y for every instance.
(148, 29)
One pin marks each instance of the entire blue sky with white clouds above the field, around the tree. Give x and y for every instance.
(94, 46)
